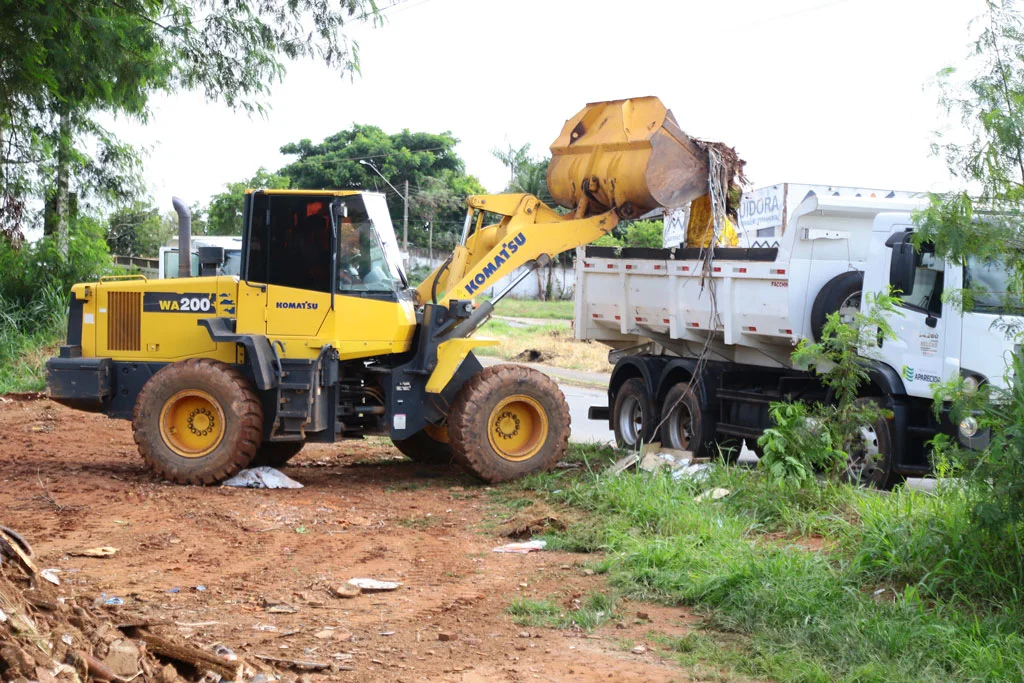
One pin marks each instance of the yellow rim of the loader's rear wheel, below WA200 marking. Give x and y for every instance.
(192, 423)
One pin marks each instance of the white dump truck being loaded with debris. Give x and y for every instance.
(702, 350)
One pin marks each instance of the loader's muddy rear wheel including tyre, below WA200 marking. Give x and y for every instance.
(198, 421)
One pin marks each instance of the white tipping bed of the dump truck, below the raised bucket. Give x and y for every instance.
(754, 304)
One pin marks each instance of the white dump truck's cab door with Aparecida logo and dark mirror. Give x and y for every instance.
(922, 320)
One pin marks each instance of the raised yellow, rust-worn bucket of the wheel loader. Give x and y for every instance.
(628, 155)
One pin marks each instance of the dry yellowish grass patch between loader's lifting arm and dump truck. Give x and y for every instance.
(556, 344)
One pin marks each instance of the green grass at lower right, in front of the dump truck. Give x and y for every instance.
(831, 583)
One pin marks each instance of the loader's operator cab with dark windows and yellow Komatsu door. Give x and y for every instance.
(315, 261)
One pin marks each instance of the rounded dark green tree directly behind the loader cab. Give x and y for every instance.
(421, 159)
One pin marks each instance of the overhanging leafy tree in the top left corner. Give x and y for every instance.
(67, 61)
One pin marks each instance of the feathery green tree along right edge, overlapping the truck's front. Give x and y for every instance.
(985, 224)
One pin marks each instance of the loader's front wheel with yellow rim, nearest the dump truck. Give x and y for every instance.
(508, 421)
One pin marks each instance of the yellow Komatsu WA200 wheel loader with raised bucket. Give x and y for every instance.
(322, 337)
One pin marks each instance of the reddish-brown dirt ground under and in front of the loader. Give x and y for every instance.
(253, 571)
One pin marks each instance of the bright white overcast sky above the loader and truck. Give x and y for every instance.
(820, 92)
